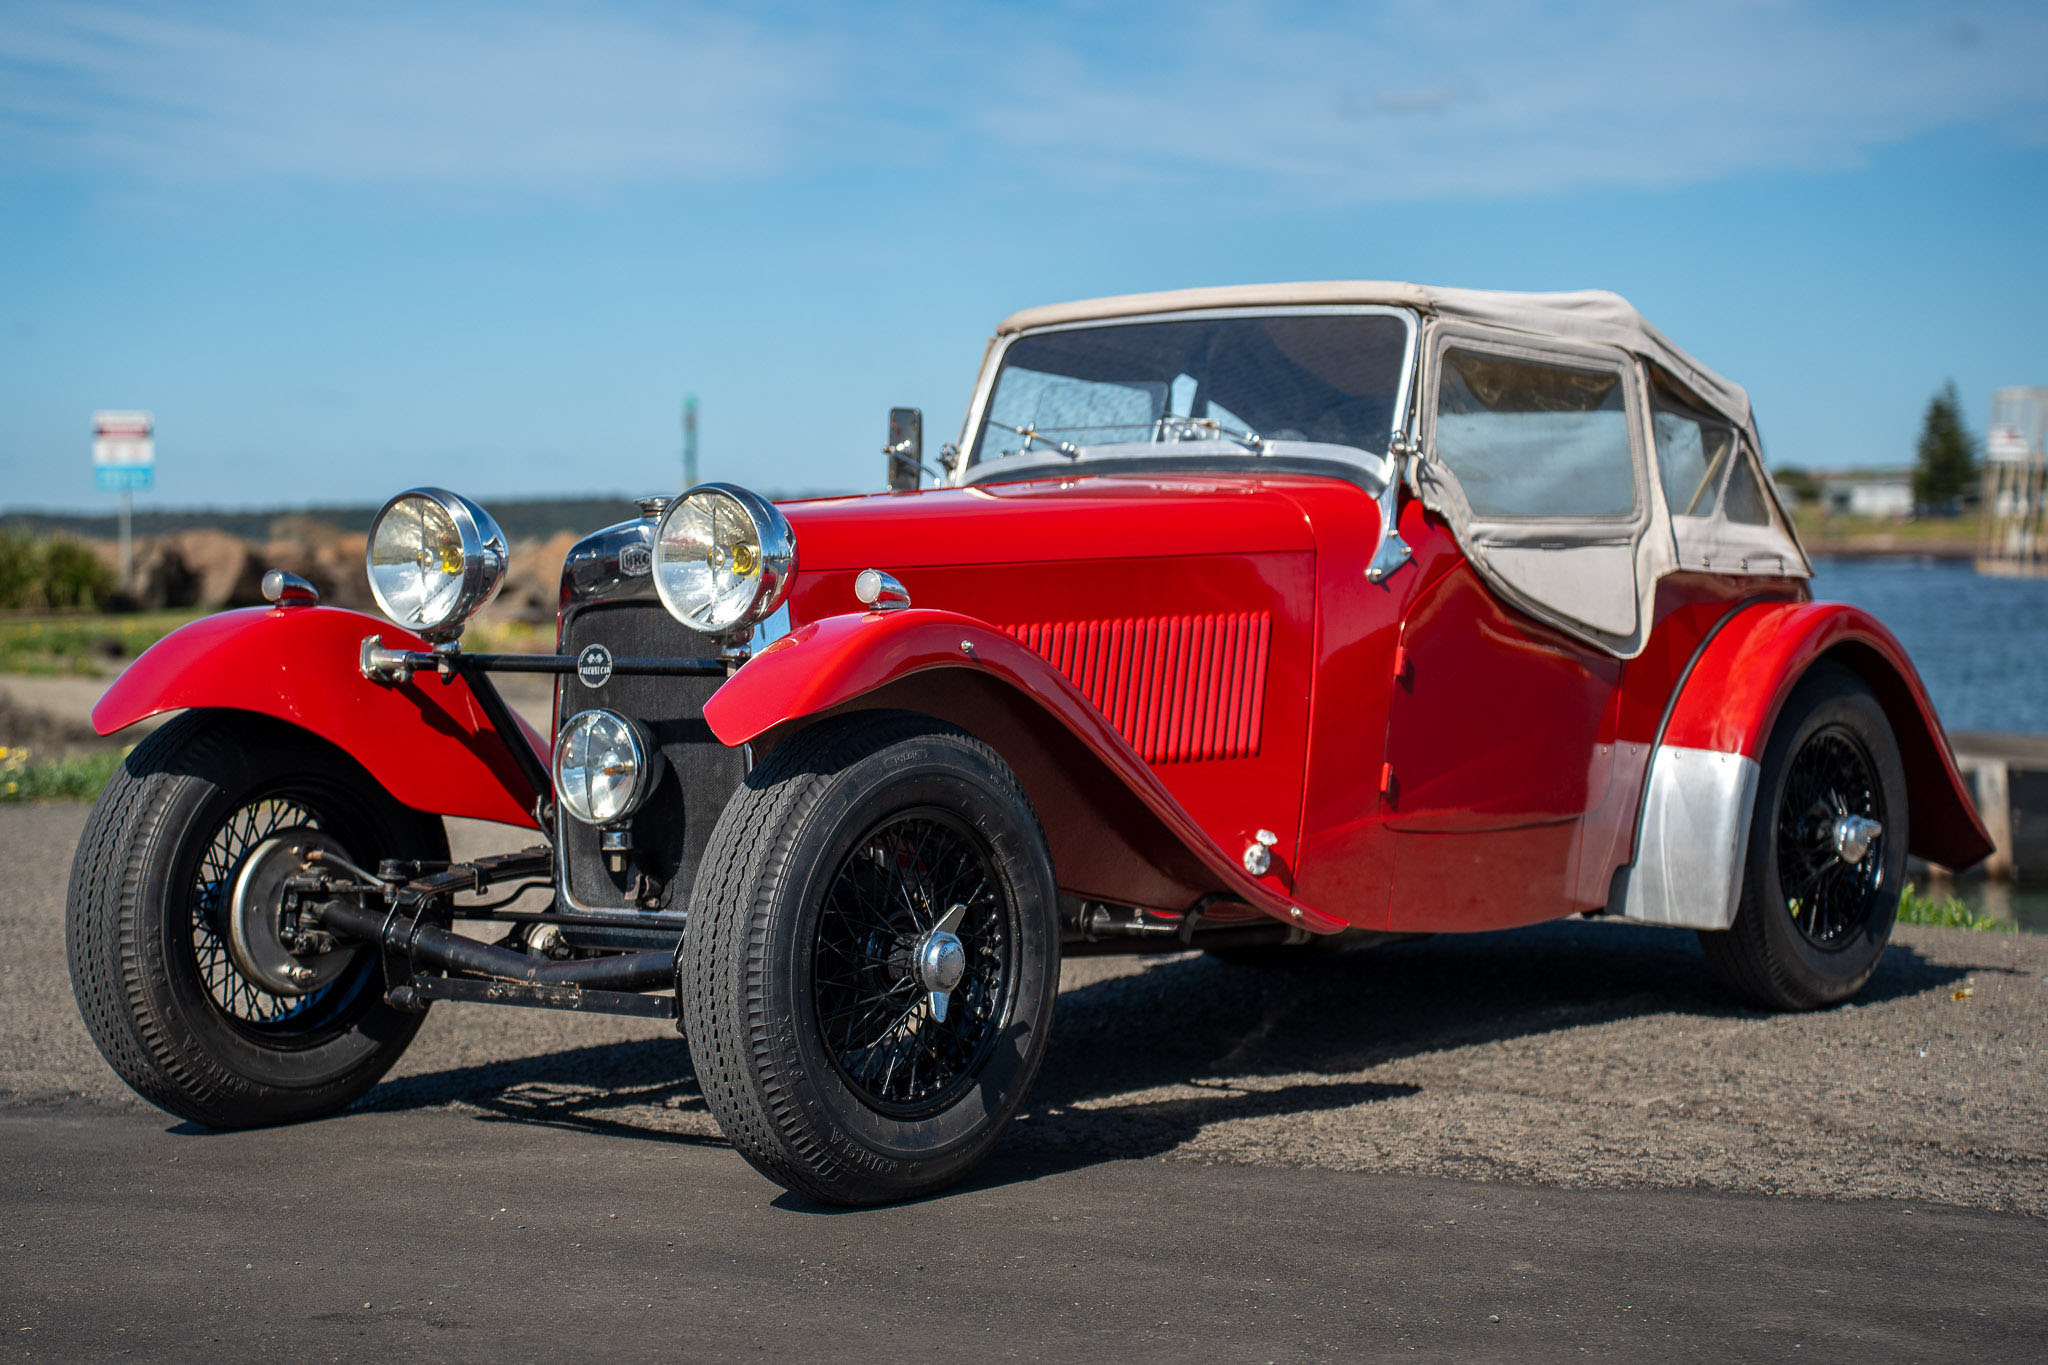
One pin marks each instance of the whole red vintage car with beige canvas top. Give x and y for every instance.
(1240, 621)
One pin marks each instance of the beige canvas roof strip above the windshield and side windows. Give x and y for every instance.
(1594, 316)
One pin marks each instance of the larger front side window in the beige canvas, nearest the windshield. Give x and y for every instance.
(1535, 439)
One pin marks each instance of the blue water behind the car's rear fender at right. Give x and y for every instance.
(1979, 644)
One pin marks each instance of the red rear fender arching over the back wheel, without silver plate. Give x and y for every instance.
(1742, 682)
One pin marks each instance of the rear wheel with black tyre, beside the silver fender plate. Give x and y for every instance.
(1828, 848)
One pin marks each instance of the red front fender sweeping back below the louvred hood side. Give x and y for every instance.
(943, 664)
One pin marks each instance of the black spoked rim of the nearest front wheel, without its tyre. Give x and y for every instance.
(900, 1045)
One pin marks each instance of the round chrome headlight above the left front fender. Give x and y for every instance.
(435, 560)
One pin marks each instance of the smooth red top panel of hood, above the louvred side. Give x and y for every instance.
(1078, 519)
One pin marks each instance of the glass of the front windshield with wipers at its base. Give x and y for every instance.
(1244, 382)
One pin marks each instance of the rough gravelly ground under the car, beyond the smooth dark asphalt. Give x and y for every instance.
(1576, 1055)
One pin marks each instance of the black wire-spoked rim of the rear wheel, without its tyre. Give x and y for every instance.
(1830, 897)
